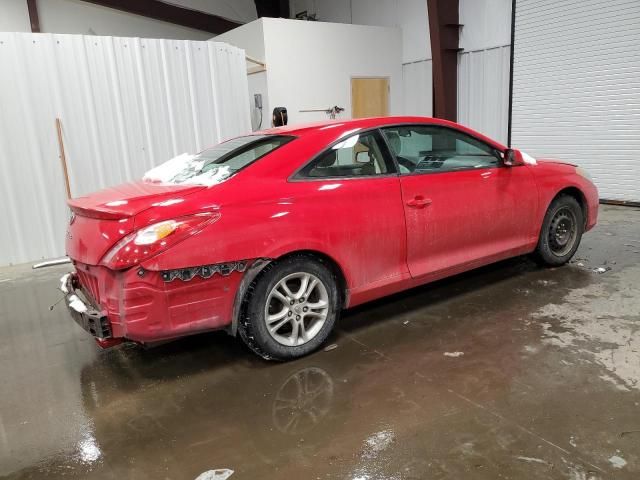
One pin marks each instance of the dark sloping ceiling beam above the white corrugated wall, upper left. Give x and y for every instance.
(168, 12)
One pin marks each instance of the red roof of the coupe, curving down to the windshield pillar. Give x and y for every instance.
(340, 126)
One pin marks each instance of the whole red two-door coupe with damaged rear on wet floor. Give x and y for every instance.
(271, 235)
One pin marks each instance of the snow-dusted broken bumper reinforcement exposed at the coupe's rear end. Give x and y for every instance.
(90, 318)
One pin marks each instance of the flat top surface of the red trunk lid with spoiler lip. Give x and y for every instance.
(129, 199)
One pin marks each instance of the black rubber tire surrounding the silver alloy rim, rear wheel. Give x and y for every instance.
(252, 326)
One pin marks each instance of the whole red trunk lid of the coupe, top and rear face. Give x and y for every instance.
(101, 219)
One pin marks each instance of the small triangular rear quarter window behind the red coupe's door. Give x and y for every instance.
(356, 156)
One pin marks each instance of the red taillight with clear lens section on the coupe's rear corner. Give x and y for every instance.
(148, 241)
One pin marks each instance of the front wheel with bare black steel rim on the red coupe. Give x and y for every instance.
(561, 232)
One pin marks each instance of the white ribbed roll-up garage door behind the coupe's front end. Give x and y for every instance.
(576, 89)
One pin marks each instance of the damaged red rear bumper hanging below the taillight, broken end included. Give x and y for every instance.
(142, 306)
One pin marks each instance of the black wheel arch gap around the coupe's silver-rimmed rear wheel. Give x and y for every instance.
(260, 264)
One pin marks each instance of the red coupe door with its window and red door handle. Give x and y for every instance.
(461, 204)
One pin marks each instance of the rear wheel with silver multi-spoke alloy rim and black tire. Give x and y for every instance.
(290, 309)
